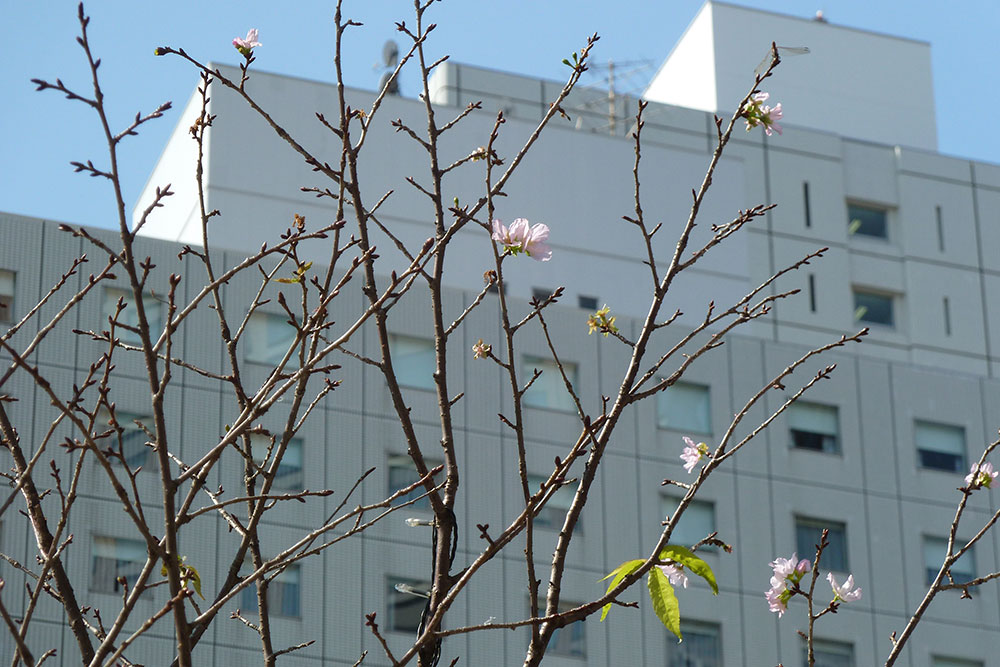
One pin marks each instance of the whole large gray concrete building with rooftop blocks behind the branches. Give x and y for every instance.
(874, 454)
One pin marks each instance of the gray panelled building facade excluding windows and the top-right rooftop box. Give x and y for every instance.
(943, 217)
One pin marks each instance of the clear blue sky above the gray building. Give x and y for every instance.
(43, 132)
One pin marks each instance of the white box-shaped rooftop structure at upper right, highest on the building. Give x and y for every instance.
(854, 83)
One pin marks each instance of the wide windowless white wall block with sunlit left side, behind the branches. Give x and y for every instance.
(581, 189)
